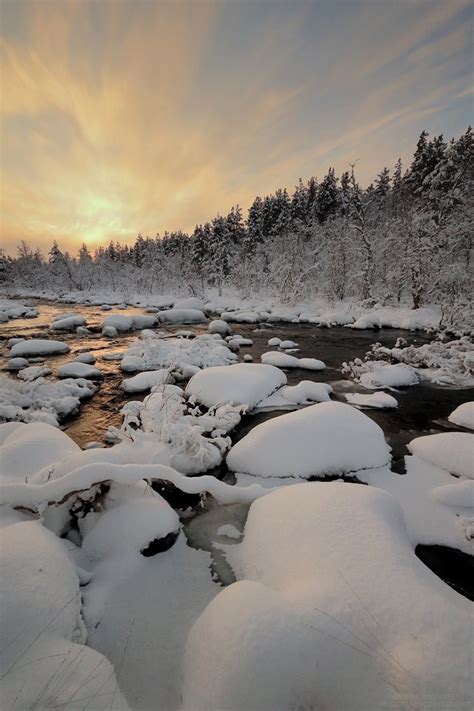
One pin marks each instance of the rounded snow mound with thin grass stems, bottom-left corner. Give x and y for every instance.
(44, 661)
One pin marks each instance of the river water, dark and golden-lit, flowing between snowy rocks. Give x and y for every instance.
(423, 409)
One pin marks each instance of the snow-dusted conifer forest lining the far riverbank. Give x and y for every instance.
(406, 238)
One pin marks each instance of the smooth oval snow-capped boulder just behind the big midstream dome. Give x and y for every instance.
(244, 384)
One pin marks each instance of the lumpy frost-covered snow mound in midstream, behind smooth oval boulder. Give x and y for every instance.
(177, 353)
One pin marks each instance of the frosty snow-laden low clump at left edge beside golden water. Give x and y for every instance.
(41, 400)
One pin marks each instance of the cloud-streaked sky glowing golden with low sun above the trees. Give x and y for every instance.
(128, 116)
